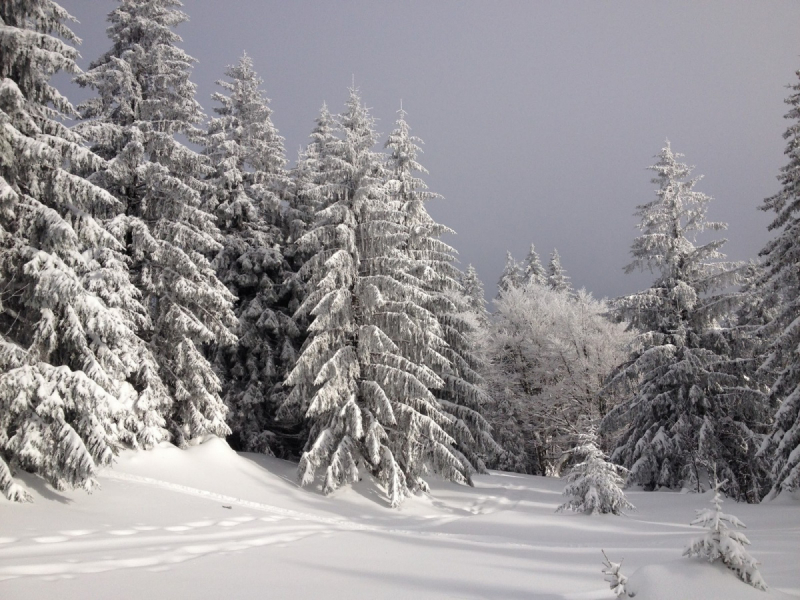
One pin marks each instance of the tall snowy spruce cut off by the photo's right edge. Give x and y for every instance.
(782, 281)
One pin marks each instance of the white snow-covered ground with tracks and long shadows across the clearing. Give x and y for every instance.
(209, 523)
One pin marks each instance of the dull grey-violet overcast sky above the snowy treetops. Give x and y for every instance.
(539, 118)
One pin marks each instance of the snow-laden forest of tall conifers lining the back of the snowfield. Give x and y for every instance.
(155, 290)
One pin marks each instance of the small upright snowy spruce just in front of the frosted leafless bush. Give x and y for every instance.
(594, 484)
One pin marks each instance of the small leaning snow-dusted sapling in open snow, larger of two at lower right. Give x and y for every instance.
(720, 542)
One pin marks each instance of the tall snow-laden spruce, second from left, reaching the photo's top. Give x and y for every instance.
(144, 100)
